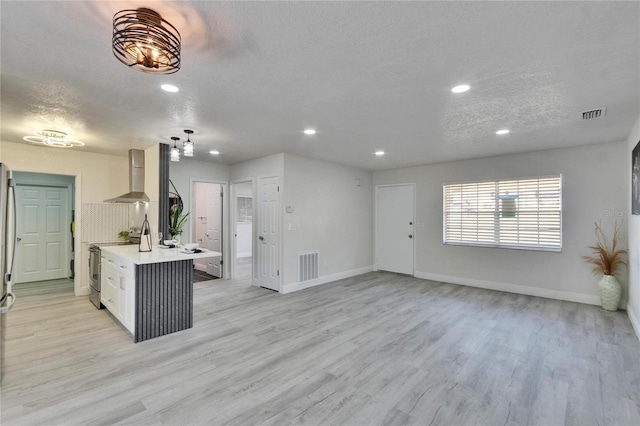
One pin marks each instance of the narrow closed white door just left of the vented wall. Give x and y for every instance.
(268, 233)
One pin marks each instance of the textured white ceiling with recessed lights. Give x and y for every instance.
(367, 75)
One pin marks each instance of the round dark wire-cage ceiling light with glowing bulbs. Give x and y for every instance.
(144, 41)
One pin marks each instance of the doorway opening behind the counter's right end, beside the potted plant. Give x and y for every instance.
(206, 230)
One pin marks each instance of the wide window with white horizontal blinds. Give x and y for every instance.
(517, 213)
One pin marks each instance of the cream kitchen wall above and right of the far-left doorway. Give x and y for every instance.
(97, 177)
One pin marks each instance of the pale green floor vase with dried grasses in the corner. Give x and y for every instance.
(606, 259)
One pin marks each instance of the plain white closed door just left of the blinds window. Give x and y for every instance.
(394, 228)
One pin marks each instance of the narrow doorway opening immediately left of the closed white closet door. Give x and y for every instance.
(243, 229)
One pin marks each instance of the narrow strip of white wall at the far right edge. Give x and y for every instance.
(633, 305)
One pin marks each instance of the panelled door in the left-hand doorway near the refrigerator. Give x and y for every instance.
(43, 232)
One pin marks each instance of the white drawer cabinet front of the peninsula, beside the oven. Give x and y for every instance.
(118, 288)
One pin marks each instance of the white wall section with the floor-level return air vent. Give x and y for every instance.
(331, 214)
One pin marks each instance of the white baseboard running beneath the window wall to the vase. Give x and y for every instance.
(513, 288)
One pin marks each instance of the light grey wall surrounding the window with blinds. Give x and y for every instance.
(594, 185)
